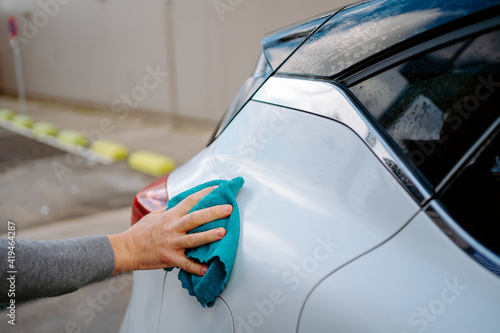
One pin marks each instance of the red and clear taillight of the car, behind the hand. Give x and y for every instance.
(149, 199)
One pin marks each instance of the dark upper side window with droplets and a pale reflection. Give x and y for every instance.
(435, 106)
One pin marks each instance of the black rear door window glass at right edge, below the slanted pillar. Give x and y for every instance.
(473, 199)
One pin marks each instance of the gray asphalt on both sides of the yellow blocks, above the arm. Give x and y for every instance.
(40, 184)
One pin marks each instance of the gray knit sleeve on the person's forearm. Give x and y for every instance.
(52, 268)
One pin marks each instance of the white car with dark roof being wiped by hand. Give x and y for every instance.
(369, 142)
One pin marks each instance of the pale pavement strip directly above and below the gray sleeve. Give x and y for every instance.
(75, 312)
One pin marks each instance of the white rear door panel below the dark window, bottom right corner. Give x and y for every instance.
(428, 284)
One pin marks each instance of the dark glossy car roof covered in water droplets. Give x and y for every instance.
(365, 28)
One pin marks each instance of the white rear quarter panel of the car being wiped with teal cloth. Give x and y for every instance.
(314, 193)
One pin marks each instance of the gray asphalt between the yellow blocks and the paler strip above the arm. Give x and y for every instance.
(39, 186)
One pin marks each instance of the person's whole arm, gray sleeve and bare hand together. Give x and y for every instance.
(159, 240)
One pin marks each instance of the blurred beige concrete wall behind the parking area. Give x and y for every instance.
(115, 54)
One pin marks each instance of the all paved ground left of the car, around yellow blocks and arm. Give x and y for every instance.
(88, 199)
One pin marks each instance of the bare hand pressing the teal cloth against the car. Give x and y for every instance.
(159, 239)
